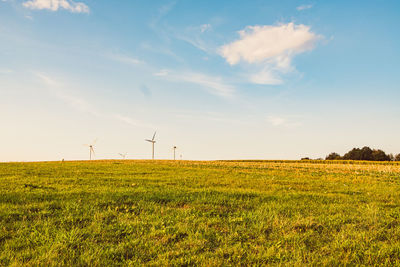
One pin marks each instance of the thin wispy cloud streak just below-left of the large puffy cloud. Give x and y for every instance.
(213, 84)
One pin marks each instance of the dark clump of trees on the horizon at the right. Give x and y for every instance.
(364, 153)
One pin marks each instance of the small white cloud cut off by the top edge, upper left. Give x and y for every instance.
(54, 5)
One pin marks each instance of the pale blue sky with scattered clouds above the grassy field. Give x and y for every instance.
(218, 79)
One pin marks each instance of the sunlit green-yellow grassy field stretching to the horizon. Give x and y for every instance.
(204, 213)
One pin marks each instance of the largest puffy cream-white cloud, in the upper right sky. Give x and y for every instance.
(272, 48)
